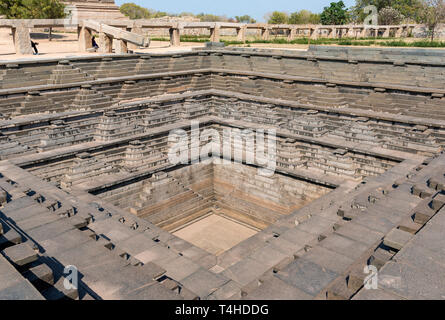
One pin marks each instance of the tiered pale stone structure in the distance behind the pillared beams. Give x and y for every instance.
(95, 9)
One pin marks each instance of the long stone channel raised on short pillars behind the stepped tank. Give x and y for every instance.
(134, 31)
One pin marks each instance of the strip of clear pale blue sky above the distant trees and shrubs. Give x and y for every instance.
(231, 8)
